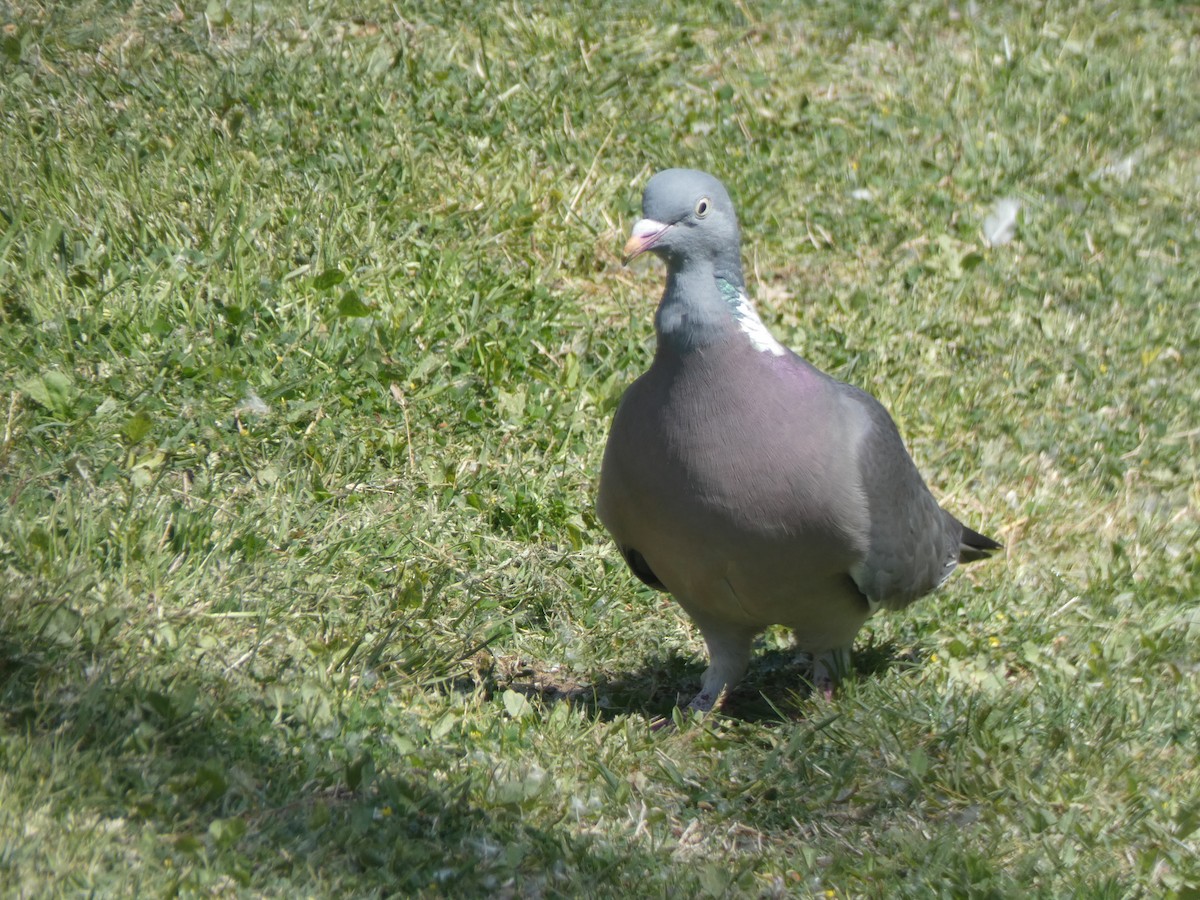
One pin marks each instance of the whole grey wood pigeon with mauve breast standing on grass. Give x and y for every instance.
(748, 484)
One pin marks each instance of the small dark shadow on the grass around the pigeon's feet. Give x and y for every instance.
(775, 689)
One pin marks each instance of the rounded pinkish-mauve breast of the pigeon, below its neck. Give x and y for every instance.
(739, 461)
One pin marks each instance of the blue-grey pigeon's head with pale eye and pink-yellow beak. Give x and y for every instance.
(687, 215)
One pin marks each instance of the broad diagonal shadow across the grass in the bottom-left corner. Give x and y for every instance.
(212, 783)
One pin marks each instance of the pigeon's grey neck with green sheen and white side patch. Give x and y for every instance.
(701, 308)
